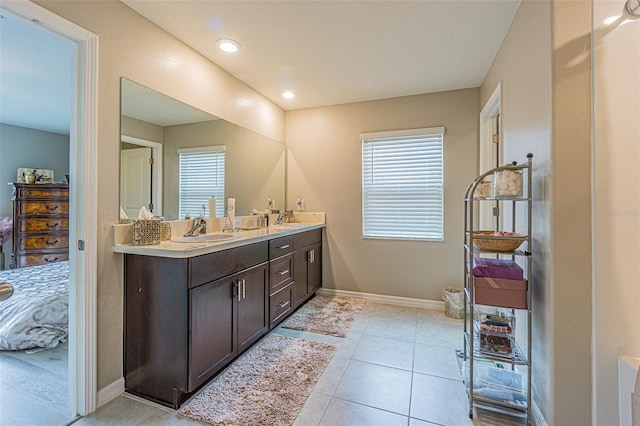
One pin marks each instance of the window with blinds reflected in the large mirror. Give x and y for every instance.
(201, 176)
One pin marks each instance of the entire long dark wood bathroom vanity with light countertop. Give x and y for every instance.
(191, 309)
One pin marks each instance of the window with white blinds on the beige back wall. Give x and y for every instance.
(403, 184)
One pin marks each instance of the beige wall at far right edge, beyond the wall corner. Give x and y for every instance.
(616, 211)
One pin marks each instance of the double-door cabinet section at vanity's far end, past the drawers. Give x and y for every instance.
(307, 261)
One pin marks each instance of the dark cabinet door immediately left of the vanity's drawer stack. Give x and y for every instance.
(253, 319)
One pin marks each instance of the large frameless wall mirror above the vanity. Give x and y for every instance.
(156, 126)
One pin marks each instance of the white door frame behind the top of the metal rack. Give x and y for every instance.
(487, 153)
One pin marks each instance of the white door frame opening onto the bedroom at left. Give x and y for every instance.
(83, 139)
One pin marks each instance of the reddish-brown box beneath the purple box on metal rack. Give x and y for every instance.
(500, 292)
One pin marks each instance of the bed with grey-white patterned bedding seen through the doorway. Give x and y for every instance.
(37, 315)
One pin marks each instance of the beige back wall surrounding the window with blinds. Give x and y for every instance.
(324, 168)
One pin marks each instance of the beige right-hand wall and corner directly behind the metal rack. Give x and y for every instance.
(545, 110)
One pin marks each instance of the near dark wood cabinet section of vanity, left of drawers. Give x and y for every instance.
(185, 319)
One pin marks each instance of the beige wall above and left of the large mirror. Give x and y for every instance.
(132, 47)
